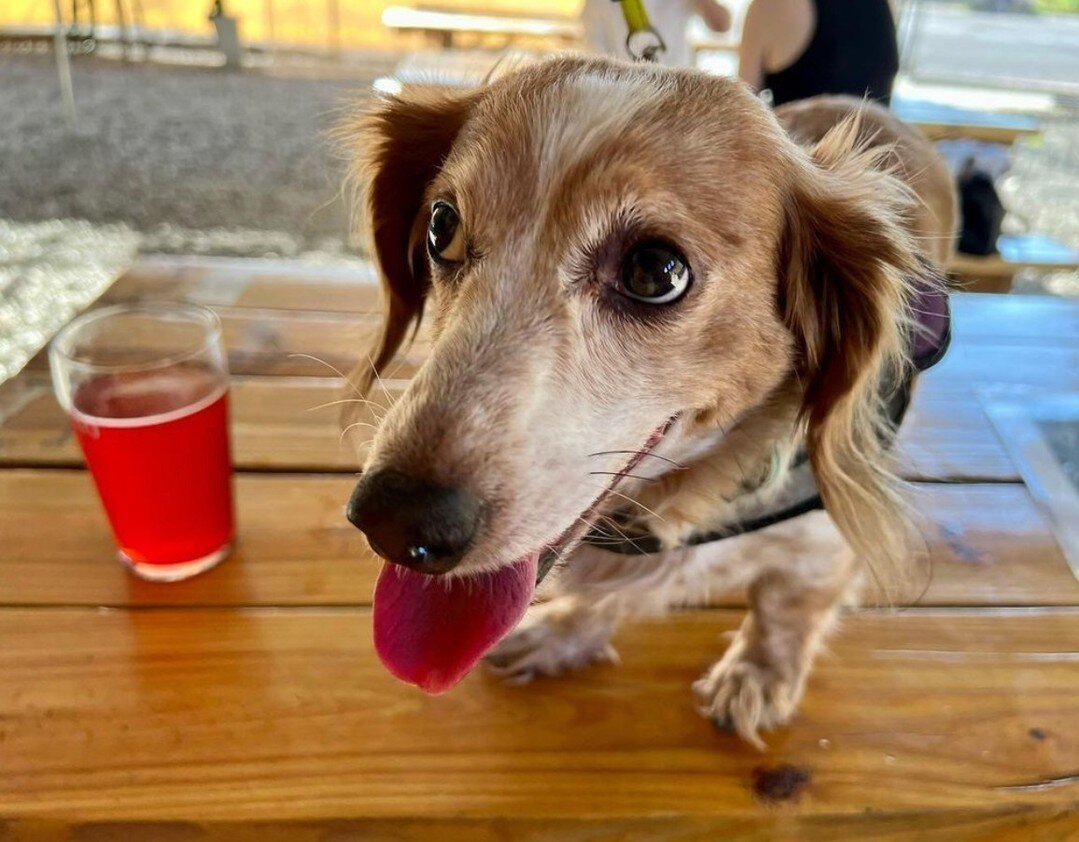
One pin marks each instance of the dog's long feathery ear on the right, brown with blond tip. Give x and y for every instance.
(849, 275)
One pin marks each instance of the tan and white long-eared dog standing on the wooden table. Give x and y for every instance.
(650, 298)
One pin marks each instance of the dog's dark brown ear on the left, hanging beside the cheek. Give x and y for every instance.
(401, 147)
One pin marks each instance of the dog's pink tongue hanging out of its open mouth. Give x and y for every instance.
(431, 631)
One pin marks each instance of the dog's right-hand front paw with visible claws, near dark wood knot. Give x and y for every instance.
(747, 696)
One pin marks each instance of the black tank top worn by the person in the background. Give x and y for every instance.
(853, 51)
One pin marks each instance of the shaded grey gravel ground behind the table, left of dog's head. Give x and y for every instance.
(195, 159)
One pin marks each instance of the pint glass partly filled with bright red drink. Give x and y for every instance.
(147, 393)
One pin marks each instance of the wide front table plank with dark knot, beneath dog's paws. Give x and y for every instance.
(286, 716)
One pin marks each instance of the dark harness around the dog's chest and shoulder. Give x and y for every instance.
(928, 344)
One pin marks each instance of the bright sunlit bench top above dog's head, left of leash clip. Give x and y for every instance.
(447, 26)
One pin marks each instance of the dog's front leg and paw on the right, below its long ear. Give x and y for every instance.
(758, 684)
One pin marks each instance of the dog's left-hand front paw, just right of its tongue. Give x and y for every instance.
(554, 639)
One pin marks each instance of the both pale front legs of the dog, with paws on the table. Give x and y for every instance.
(787, 563)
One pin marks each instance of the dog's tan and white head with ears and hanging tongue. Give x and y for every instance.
(599, 252)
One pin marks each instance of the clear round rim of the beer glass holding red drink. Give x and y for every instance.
(60, 348)
